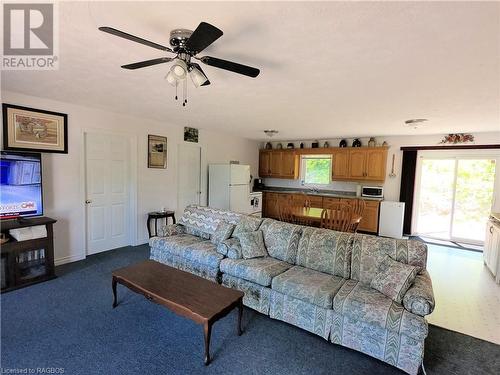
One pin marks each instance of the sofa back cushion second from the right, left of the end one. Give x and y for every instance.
(325, 251)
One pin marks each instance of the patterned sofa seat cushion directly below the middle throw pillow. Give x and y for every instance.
(258, 270)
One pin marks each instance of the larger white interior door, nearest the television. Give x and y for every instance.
(107, 191)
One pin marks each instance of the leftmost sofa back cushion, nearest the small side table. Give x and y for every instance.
(200, 219)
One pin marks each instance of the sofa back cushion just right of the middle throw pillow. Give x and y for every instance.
(281, 239)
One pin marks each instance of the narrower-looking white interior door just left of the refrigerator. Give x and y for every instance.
(189, 173)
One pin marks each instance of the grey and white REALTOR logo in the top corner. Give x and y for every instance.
(29, 36)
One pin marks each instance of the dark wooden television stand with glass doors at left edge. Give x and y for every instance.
(27, 262)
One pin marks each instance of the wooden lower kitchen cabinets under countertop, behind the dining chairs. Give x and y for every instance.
(273, 202)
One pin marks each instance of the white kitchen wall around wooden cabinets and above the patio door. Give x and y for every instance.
(391, 185)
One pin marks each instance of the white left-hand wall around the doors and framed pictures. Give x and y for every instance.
(63, 176)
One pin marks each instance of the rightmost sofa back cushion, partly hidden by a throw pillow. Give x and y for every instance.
(368, 251)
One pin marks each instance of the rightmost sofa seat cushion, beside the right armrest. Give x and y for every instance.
(364, 304)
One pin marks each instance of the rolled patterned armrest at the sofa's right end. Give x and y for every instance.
(419, 299)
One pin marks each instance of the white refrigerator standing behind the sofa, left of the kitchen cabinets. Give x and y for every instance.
(229, 187)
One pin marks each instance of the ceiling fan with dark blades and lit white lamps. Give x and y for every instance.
(186, 44)
